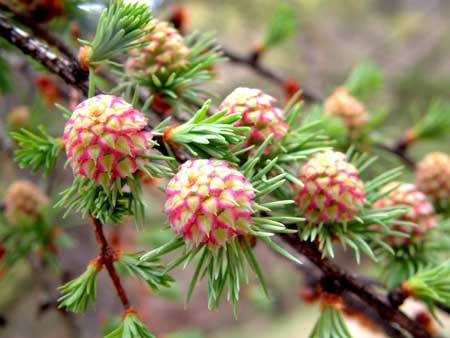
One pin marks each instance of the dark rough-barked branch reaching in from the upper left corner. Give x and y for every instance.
(68, 70)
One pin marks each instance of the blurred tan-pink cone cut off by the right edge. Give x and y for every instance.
(432, 176)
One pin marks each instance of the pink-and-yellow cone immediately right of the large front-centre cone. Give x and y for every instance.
(332, 190)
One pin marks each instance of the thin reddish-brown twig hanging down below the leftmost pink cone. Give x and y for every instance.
(108, 256)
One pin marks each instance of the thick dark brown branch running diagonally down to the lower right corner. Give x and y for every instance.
(351, 284)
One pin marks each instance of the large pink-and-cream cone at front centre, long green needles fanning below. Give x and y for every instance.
(209, 202)
